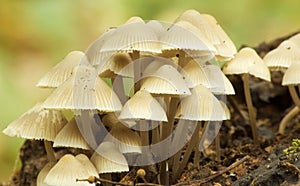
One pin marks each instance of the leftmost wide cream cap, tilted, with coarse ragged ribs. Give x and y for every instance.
(37, 123)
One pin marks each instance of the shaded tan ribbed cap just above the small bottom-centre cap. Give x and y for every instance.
(125, 139)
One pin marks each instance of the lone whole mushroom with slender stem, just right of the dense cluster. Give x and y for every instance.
(248, 62)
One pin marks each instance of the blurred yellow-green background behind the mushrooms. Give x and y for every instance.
(34, 35)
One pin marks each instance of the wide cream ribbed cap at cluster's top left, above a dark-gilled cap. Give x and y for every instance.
(134, 35)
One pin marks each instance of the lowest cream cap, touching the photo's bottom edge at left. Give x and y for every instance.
(66, 171)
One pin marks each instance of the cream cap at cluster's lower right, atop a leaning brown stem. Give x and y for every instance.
(202, 105)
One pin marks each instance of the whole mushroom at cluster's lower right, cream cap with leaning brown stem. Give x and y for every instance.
(201, 105)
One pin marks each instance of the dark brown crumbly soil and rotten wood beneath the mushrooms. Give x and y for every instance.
(266, 164)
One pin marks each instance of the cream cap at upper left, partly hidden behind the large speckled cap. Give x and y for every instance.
(61, 71)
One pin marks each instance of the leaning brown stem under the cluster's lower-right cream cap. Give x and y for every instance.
(188, 152)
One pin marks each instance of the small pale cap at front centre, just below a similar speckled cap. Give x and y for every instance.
(152, 110)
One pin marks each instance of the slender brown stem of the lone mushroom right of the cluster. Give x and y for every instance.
(252, 116)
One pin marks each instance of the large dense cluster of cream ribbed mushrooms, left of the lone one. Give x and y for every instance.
(138, 87)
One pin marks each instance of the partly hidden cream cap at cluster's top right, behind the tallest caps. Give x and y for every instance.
(224, 46)
